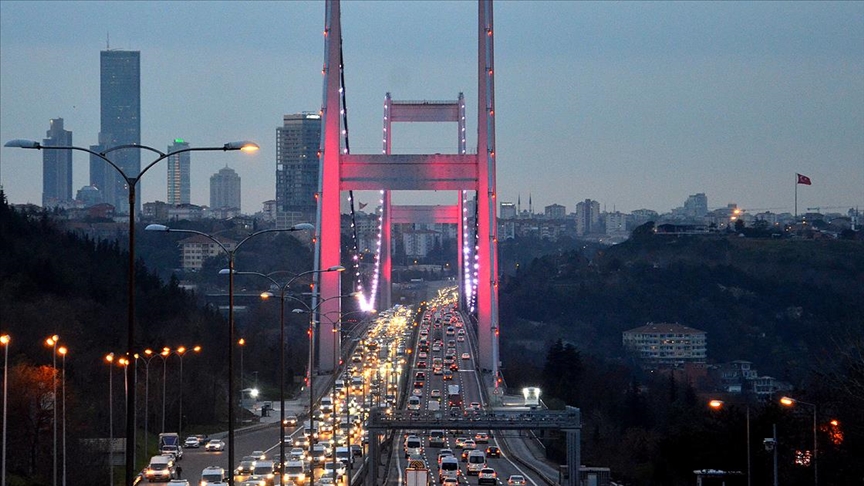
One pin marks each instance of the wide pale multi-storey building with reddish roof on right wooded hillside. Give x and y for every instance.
(666, 345)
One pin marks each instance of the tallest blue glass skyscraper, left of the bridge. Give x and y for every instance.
(120, 117)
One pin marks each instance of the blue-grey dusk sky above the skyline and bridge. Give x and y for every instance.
(635, 105)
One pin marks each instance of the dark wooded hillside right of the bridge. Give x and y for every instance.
(792, 307)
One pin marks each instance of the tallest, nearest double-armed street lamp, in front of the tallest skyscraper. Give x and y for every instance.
(131, 183)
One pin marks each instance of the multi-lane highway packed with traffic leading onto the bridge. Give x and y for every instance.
(392, 362)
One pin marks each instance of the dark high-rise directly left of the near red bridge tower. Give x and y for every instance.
(297, 144)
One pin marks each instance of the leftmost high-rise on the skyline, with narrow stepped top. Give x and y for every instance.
(56, 166)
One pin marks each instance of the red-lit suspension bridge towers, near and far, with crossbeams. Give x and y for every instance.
(386, 172)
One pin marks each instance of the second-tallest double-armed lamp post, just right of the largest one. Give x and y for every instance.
(230, 253)
